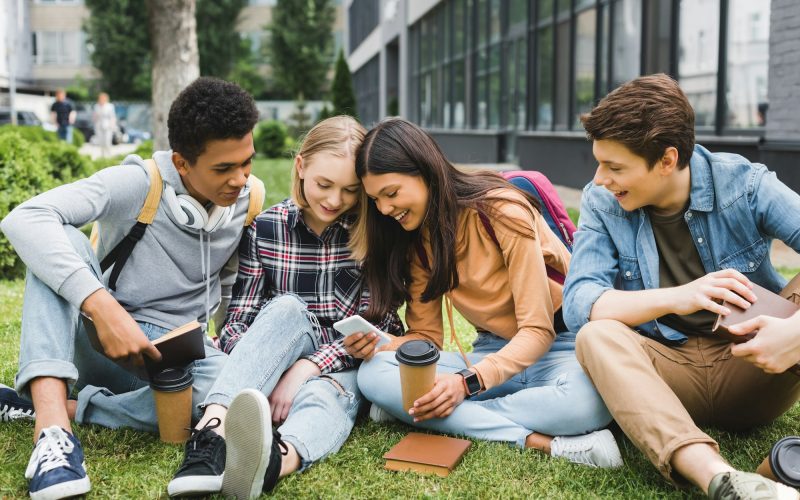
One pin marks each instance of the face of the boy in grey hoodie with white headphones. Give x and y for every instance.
(220, 172)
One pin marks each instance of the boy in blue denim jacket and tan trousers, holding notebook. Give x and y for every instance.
(669, 230)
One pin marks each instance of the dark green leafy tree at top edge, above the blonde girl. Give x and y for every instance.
(301, 45)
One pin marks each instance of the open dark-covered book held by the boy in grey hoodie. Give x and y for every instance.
(178, 347)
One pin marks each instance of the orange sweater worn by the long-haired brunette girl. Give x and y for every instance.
(501, 290)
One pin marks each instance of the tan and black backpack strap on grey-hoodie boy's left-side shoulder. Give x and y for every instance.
(119, 255)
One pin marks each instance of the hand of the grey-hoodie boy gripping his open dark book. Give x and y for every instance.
(118, 332)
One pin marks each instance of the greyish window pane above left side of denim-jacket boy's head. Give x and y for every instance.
(627, 42)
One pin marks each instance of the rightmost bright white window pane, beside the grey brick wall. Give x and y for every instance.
(748, 63)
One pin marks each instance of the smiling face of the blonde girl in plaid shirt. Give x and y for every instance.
(330, 188)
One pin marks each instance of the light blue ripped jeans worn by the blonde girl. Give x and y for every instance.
(323, 411)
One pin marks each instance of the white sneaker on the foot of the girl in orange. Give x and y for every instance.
(596, 449)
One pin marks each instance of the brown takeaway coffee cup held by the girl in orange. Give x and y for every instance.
(417, 360)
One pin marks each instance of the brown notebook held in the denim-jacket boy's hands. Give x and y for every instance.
(768, 304)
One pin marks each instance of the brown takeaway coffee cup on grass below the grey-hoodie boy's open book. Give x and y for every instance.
(172, 390)
